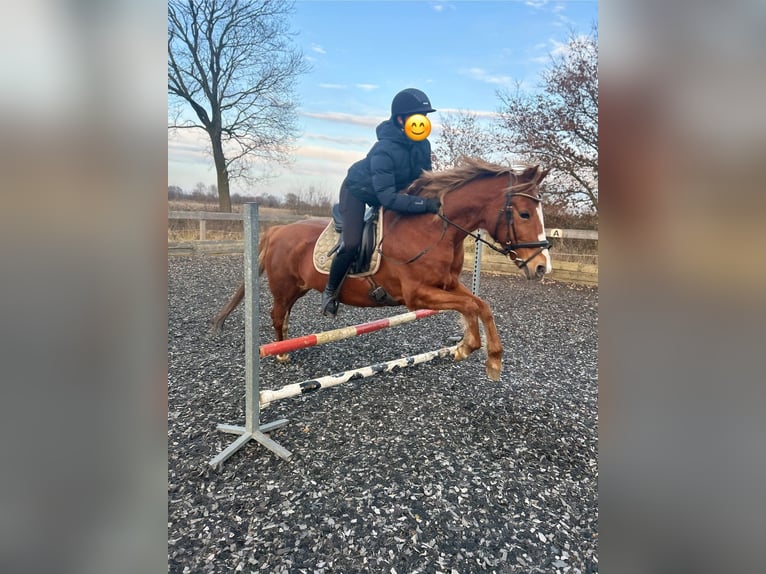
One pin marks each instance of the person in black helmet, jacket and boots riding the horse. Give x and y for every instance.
(393, 163)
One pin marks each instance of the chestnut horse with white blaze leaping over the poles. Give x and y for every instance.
(422, 255)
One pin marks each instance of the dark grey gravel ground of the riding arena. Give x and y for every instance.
(434, 468)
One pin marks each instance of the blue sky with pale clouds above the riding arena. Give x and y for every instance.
(361, 53)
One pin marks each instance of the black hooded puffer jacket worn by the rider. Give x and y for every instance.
(393, 163)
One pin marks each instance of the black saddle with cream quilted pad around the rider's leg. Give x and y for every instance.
(330, 241)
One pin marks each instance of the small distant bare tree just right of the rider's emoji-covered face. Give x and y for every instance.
(461, 135)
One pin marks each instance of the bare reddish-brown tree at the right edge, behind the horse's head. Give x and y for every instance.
(558, 126)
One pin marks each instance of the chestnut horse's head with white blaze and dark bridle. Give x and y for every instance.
(520, 227)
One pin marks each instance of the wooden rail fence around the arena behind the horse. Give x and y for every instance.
(568, 271)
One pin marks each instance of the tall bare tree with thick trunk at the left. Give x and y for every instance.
(232, 63)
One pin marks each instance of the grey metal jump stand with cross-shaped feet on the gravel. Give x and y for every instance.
(253, 429)
